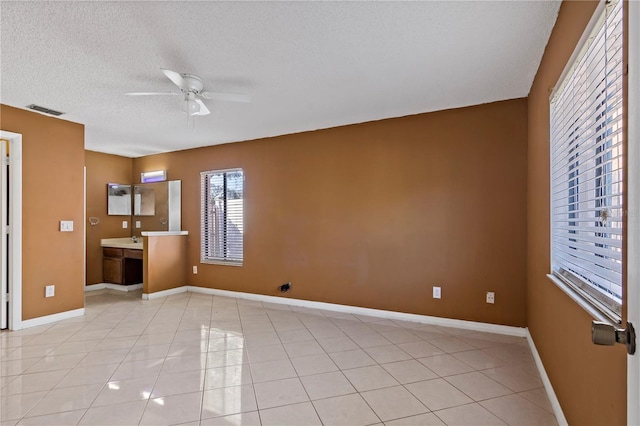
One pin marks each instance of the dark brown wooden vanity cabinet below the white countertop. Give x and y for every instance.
(121, 266)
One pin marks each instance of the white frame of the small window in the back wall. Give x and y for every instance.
(205, 219)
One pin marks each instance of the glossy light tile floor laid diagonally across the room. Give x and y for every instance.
(196, 359)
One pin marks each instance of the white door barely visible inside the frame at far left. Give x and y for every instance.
(4, 235)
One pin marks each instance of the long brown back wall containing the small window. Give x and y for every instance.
(376, 214)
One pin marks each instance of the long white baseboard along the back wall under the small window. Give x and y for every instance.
(401, 316)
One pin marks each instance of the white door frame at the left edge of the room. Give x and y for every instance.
(15, 228)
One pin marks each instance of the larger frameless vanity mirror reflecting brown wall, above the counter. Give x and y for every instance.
(157, 207)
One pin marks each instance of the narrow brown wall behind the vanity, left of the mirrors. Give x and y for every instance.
(101, 170)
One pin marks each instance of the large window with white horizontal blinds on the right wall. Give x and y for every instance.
(587, 167)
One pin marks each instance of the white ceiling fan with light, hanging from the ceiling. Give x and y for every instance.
(191, 89)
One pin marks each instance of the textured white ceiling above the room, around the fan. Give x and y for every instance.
(306, 65)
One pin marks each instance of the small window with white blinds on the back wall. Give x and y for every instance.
(222, 227)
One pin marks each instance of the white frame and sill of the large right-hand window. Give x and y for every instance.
(580, 290)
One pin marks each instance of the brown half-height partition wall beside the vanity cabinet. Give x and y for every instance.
(165, 263)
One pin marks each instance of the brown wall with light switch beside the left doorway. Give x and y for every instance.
(52, 190)
